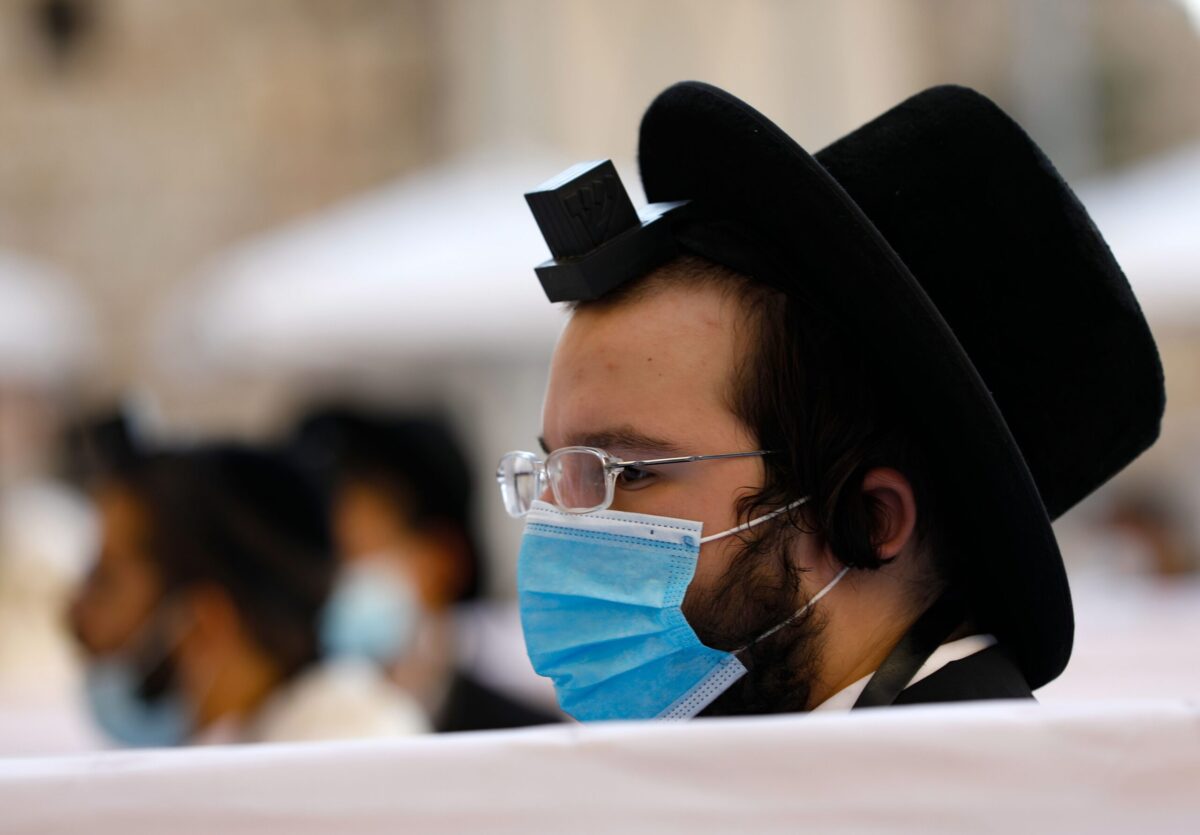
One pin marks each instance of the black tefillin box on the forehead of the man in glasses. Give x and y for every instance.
(597, 239)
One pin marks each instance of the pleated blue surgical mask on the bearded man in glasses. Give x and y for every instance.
(601, 600)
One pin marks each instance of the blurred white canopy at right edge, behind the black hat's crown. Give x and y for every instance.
(1150, 215)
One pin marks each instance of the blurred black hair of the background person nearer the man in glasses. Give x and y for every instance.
(415, 459)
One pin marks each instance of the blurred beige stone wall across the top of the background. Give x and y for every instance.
(140, 137)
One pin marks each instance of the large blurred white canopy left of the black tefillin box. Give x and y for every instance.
(439, 265)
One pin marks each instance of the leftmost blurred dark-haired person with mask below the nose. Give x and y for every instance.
(200, 618)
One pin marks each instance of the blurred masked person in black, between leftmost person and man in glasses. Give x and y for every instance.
(399, 500)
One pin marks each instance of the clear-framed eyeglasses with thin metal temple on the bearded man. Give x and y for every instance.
(583, 479)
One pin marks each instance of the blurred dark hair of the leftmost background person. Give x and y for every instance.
(248, 522)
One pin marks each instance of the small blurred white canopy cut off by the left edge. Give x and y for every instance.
(45, 331)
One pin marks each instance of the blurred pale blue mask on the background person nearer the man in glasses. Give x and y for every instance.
(371, 614)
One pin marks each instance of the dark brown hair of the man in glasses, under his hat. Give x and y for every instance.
(807, 392)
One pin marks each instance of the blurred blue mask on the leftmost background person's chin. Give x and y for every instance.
(112, 687)
